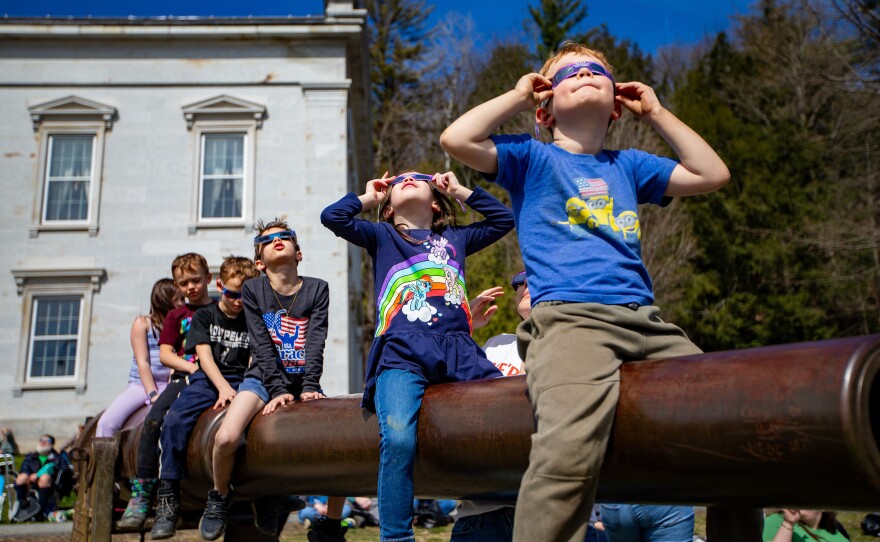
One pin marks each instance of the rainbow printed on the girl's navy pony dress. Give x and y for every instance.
(393, 293)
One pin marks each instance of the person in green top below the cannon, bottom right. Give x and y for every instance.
(803, 526)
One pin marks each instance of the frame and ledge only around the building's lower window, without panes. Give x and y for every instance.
(34, 283)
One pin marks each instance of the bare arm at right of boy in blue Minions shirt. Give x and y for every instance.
(700, 170)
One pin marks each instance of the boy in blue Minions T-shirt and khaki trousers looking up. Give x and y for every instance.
(576, 208)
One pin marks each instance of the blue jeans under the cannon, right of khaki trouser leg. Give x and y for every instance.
(647, 523)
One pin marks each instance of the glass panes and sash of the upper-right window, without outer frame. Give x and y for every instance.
(222, 182)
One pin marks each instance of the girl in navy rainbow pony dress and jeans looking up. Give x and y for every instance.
(423, 320)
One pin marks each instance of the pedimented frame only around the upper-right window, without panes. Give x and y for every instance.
(224, 114)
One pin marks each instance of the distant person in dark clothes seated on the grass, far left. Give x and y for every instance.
(38, 468)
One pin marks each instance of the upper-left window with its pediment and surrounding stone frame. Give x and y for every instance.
(71, 134)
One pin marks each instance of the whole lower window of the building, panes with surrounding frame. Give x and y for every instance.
(57, 314)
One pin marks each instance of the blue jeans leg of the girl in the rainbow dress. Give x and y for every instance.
(398, 400)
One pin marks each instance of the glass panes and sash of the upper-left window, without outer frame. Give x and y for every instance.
(68, 178)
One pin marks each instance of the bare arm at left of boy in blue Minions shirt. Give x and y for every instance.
(467, 139)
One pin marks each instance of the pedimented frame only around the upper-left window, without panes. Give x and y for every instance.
(70, 116)
